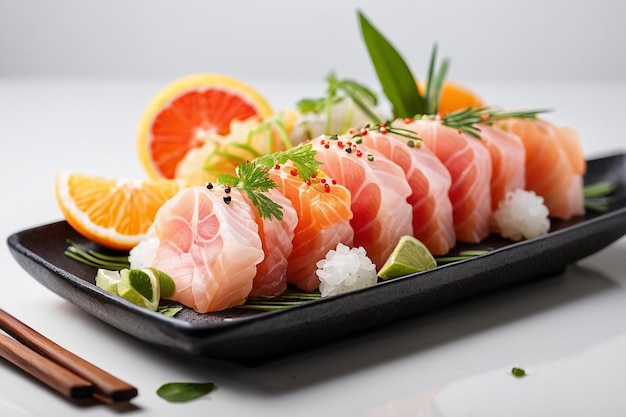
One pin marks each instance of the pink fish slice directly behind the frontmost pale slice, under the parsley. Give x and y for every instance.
(277, 240)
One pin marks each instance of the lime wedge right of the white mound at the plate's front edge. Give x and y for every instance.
(409, 256)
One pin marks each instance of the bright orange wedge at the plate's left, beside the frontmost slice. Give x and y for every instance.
(115, 213)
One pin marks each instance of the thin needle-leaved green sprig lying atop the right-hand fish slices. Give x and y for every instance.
(469, 120)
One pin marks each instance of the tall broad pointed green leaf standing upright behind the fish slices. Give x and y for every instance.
(397, 81)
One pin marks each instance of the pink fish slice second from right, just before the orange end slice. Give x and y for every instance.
(508, 162)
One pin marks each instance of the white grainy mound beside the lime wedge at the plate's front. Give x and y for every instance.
(345, 269)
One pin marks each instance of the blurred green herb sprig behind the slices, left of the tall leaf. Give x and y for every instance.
(337, 91)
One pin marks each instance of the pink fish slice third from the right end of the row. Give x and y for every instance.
(469, 164)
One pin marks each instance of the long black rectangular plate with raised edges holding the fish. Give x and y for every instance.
(255, 337)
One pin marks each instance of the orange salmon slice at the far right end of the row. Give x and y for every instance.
(555, 164)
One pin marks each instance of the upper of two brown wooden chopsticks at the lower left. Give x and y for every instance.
(105, 386)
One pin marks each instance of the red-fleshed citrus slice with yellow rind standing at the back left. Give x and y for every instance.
(185, 113)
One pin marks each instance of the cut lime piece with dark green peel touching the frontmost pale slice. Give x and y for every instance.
(141, 287)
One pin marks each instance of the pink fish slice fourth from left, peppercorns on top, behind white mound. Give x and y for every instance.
(379, 189)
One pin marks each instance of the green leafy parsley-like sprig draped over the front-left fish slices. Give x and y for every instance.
(253, 177)
